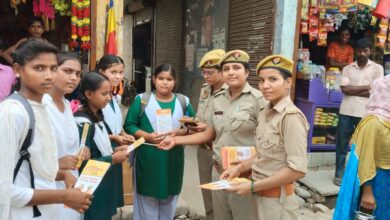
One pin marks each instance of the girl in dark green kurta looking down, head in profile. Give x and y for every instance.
(95, 95)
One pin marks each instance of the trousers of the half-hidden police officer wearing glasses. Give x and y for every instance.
(205, 166)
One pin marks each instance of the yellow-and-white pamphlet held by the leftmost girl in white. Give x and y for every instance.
(91, 176)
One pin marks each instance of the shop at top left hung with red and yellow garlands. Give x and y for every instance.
(60, 29)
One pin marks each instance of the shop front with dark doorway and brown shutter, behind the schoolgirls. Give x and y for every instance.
(156, 35)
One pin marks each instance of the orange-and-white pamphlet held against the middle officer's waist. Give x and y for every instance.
(233, 153)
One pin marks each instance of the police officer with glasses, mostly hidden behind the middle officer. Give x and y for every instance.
(213, 87)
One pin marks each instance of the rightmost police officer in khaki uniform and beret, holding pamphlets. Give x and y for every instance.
(281, 144)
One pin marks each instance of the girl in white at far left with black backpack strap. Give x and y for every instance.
(35, 63)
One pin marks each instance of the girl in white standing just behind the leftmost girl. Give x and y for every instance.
(63, 122)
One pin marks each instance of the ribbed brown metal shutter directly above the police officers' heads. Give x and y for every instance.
(251, 29)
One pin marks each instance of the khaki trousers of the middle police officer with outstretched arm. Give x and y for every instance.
(229, 206)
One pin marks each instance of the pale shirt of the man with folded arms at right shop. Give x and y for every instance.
(353, 75)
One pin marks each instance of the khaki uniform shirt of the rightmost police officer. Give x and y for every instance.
(281, 140)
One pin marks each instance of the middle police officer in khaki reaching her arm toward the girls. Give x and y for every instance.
(232, 123)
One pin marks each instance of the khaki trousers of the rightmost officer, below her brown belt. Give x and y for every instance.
(266, 208)
